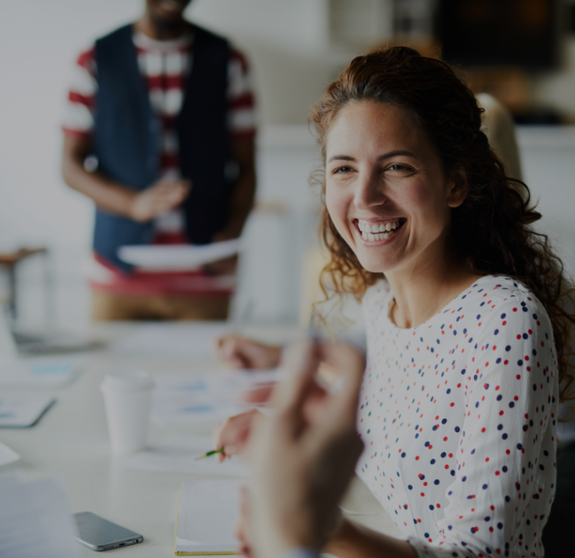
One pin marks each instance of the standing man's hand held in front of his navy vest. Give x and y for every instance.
(159, 198)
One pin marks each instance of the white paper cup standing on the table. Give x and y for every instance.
(128, 402)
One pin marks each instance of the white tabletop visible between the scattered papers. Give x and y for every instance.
(71, 441)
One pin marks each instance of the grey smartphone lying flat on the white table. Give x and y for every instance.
(99, 534)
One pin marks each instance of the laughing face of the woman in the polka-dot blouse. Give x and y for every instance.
(386, 191)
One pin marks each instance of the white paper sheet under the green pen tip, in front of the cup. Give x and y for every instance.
(177, 454)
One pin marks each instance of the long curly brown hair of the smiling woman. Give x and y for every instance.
(491, 231)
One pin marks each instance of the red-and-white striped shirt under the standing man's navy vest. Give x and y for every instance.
(165, 66)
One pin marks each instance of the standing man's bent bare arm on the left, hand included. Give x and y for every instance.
(142, 206)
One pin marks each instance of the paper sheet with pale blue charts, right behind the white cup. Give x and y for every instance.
(182, 398)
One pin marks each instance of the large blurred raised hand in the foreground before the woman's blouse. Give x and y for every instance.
(304, 457)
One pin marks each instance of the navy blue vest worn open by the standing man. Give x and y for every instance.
(127, 138)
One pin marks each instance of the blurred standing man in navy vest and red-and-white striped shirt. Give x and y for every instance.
(159, 132)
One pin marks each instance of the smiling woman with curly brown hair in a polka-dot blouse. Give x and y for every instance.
(467, 334)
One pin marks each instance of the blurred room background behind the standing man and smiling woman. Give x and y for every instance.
(295, 49)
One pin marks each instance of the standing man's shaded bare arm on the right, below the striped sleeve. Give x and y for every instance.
(242, 198)
